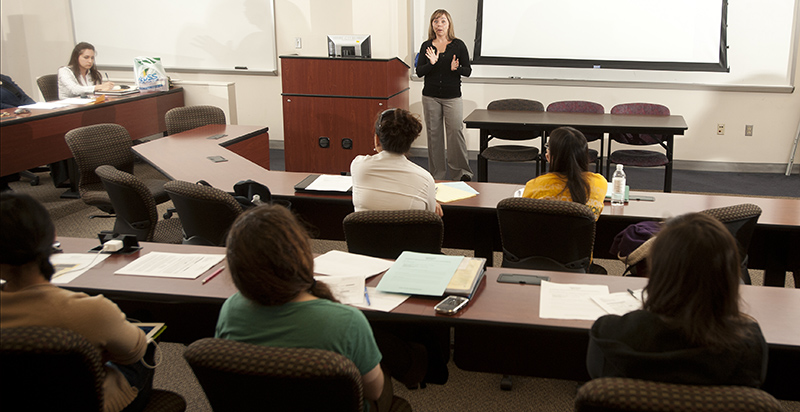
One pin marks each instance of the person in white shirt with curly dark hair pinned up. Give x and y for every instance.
(388, 180)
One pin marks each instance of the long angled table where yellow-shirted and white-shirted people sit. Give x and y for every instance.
(470, 223)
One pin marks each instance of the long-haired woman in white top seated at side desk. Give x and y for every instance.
(80, 76)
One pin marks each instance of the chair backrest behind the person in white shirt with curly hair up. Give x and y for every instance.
(387, 233)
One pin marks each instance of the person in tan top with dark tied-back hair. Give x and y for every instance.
(29, 299)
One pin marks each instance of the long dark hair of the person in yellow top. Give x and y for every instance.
(569, 157)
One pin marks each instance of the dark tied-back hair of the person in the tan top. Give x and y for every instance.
(27, 234)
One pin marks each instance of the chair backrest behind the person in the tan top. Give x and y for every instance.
(50, 369)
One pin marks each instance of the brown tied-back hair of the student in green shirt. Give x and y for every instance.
(270, 258)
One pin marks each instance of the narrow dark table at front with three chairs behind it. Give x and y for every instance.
(546, 122)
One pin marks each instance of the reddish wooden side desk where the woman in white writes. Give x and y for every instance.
(35, 139)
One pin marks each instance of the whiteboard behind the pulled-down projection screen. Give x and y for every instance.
(762, 40)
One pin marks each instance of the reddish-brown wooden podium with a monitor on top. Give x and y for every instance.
(337, 99)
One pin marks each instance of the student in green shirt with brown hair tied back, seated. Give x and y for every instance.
(280, 304)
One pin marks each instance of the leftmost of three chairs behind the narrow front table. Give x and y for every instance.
(508, 152)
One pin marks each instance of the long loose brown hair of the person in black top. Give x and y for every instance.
(694, 280)
